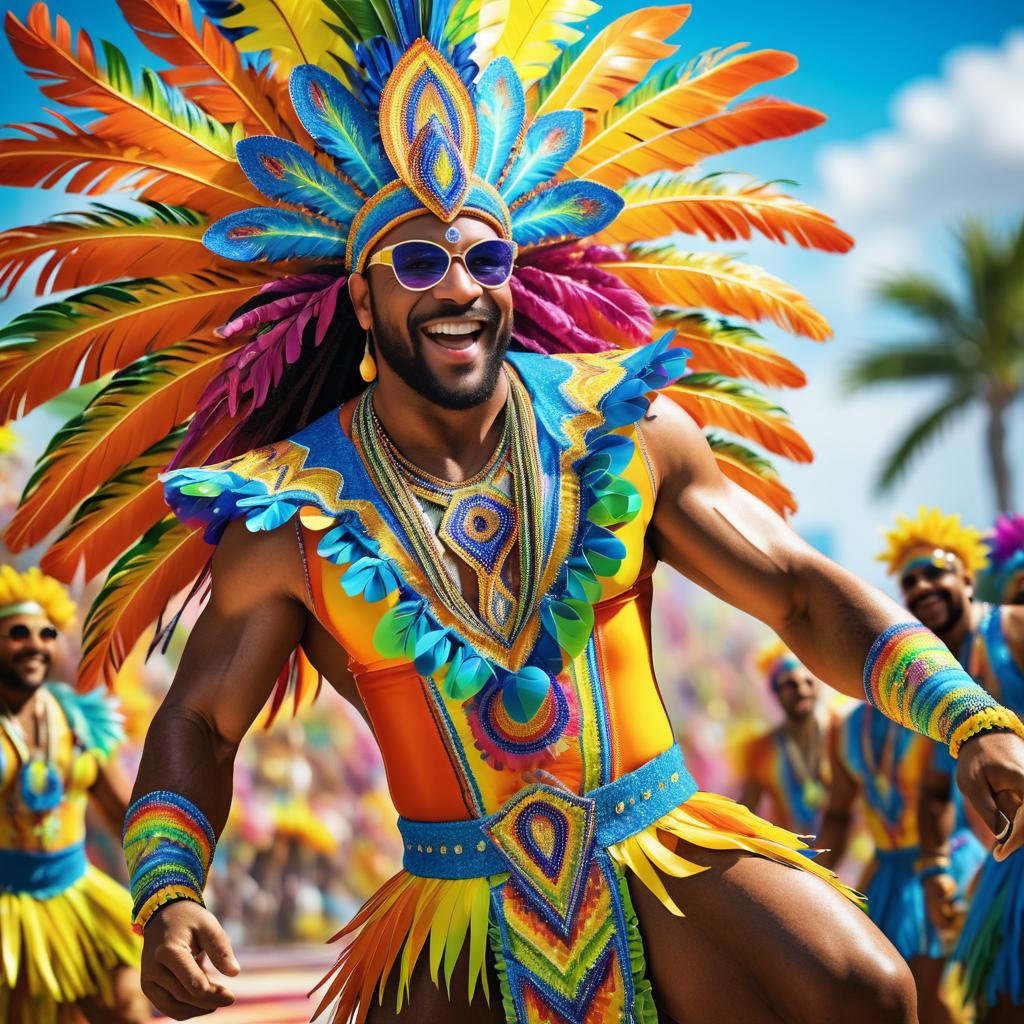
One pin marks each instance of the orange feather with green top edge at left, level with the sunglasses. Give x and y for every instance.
(96, 246)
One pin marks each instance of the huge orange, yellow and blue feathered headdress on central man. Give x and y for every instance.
(293, 134)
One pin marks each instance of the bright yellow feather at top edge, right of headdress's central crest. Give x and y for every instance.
(538, 30)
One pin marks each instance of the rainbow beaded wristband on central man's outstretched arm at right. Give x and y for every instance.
(912, 677)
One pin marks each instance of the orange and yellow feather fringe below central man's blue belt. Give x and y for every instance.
(410, 914)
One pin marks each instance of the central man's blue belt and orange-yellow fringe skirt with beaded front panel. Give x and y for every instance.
(541, 887)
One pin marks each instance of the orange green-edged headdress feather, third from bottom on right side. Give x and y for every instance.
(728, 349)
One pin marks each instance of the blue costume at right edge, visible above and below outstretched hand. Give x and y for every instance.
(989, 955)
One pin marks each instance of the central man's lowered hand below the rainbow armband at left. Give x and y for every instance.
(176, 943)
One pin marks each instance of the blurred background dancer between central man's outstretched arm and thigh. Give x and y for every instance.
(789, 765)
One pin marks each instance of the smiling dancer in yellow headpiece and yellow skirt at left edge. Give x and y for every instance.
(64, 931)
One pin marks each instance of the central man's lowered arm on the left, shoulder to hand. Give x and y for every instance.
(253, 621)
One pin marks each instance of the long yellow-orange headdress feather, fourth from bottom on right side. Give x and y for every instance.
(667, 276)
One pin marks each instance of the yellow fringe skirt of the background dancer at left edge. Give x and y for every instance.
(58, 951)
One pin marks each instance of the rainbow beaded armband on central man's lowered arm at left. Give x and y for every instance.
(168, 845)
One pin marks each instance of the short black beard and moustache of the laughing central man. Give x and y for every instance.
(413, 368)
